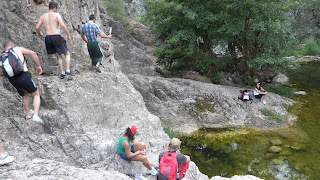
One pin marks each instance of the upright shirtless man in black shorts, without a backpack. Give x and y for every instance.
(55, 44)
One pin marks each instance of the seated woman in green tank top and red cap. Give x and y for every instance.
(131, 150)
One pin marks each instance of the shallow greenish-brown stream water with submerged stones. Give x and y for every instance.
(228, 152)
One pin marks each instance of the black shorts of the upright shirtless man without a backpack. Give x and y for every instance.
(56, 43)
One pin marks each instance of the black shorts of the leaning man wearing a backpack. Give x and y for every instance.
(23, 81)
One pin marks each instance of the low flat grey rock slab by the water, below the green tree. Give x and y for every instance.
(188, 105)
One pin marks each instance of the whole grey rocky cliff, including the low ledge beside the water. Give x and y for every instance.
(84, 117)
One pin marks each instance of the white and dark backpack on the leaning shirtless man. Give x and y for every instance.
(10, 63)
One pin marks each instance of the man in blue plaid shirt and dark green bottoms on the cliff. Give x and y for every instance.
(89, 33)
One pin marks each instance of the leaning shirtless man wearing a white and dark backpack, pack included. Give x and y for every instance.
(14, 67)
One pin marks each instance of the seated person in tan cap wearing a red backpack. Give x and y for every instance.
(173, 165)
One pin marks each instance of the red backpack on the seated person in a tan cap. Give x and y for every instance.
(168, 167)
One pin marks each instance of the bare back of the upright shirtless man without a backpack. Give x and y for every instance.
(51, 22)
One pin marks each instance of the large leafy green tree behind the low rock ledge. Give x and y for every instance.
(190, 28)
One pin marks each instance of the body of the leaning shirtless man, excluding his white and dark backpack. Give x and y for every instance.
(24, 82)
